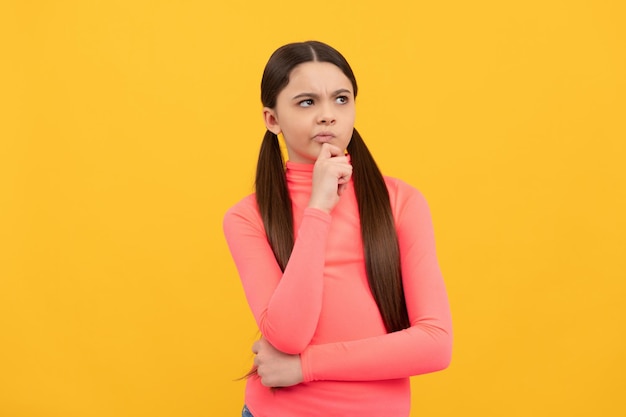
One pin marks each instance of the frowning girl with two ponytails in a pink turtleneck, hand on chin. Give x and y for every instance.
(337, 262)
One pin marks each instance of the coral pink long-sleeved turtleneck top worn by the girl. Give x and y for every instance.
(321, 307)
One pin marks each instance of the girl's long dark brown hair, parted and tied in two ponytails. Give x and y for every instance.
(380, 242)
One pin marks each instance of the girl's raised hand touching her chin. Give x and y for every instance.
(331, 174)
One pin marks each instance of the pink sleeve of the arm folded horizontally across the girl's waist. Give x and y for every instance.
(425, 346)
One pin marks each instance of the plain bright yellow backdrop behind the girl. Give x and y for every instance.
(128, 128)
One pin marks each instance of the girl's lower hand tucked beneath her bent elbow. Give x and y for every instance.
(275, 368)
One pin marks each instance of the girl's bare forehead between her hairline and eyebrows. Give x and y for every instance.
(317, 76)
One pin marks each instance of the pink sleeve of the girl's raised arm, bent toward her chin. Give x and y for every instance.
(286, 306)
